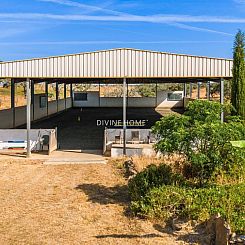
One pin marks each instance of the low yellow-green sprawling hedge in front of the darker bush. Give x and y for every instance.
(195, 203)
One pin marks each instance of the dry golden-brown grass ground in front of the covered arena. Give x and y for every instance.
(69, 204)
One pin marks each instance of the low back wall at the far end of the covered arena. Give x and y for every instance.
(160, 102)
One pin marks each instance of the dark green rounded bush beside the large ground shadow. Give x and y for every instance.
(153, 176)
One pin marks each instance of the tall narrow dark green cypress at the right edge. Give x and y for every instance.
(238, 83)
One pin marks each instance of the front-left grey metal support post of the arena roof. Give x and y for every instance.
(28, 117)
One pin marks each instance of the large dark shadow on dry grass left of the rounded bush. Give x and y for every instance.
(105, 195)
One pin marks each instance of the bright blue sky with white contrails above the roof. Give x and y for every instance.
(41, 28)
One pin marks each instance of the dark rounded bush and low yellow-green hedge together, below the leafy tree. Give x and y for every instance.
(157, 192)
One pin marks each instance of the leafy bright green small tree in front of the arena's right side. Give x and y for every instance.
(202, 139)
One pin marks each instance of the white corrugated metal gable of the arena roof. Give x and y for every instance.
(119, 63)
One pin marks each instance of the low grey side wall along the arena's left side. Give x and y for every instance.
(19, 113)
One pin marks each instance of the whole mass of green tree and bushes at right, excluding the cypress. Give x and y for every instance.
(212, 173)
